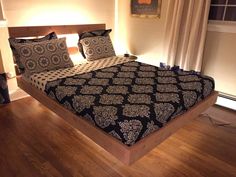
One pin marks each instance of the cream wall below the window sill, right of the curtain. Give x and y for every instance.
(219, 60)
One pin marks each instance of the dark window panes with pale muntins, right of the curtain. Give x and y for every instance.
(223, 10)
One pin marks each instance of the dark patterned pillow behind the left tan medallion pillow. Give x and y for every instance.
(14, 41)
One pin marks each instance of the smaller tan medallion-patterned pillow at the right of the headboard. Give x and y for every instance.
(97, 47)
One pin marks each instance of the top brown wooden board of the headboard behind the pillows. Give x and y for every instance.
(30, 31)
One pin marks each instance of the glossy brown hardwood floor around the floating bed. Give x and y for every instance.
(35, 142)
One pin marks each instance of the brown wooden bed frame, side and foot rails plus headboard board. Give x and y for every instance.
(126, 154)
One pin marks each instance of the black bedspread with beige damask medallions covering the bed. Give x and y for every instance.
(130, 100)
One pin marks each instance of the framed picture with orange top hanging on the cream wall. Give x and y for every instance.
(146, 8)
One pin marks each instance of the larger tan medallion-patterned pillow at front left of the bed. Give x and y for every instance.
(43, 56)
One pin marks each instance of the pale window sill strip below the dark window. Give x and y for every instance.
(223, 27)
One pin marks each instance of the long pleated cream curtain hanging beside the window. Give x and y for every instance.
(186, 29)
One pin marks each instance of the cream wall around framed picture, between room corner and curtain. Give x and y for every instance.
(143, 37)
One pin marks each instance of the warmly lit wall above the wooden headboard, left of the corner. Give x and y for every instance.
(56, 12)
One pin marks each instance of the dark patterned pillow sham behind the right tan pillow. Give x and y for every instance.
(94, 33)
